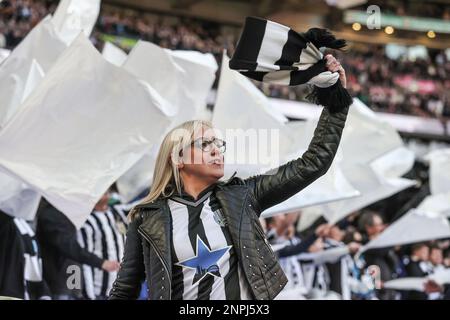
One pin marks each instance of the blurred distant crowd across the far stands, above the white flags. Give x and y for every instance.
(420, 87)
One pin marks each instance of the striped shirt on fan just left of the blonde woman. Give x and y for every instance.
(103, 234)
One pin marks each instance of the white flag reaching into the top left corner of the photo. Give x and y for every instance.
(43, 44)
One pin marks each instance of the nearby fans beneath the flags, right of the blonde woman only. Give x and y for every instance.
(321, 261)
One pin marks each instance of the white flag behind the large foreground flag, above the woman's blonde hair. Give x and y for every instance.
(184, 79)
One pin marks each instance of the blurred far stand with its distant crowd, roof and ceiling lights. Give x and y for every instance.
(402, 67)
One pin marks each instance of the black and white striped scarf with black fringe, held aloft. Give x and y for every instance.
(270, 52)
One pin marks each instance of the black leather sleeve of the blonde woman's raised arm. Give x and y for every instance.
(280, 184)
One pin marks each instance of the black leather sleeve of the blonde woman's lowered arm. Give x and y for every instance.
(127, 285)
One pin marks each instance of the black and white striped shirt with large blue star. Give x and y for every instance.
(205, 265)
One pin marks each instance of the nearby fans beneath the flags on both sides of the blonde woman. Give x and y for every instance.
(48, 258)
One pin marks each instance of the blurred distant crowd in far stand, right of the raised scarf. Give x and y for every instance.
(419, 88)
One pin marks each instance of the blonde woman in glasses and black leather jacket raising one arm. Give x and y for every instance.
(195, 237)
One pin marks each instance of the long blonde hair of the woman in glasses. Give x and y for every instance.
(166, 176)
